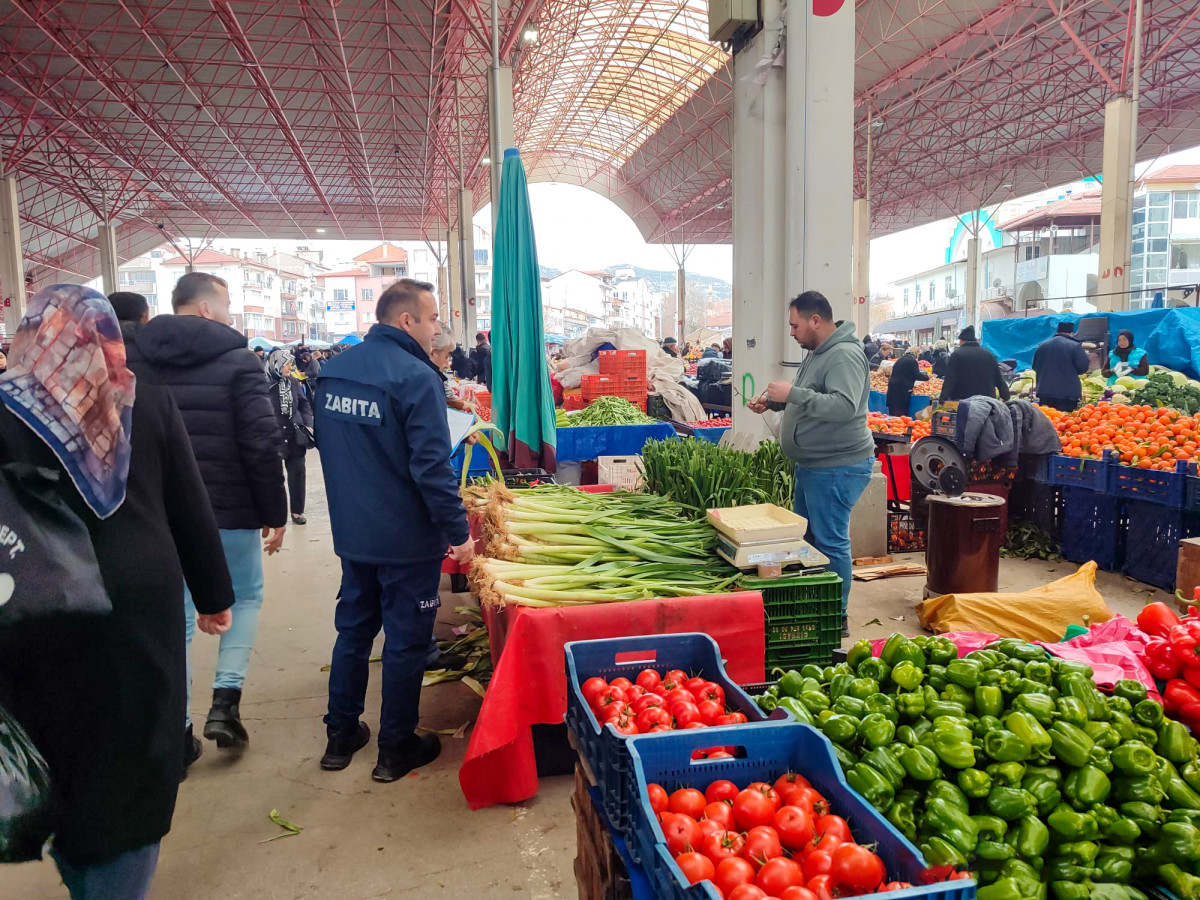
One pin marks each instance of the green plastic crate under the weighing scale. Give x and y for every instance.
(803, 617)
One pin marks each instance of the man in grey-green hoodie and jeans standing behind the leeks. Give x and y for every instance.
(825, 429)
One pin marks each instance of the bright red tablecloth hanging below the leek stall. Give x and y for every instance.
(530, 682)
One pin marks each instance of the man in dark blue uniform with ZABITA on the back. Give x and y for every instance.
(381, 427)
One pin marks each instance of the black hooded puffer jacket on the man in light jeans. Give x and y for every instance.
(221, 391)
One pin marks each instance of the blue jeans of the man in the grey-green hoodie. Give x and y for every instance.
(826, 496)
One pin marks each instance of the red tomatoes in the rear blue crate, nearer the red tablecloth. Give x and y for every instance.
(659, 703)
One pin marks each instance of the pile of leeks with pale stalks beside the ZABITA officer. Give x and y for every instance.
(556, 547)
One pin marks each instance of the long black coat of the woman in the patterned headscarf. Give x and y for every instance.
(104, 697)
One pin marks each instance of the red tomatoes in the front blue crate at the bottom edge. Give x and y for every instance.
(763, 842)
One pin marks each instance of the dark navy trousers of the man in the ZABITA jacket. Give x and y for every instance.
(404, 602)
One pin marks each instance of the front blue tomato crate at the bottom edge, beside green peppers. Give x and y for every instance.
(764, 753)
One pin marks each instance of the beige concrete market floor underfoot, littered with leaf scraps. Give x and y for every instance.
(415, 838)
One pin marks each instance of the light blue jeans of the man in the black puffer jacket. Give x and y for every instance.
(244, 556)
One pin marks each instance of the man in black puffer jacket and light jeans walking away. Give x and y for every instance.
(221, 391)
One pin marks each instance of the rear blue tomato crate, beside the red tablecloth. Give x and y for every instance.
(605, 752)
